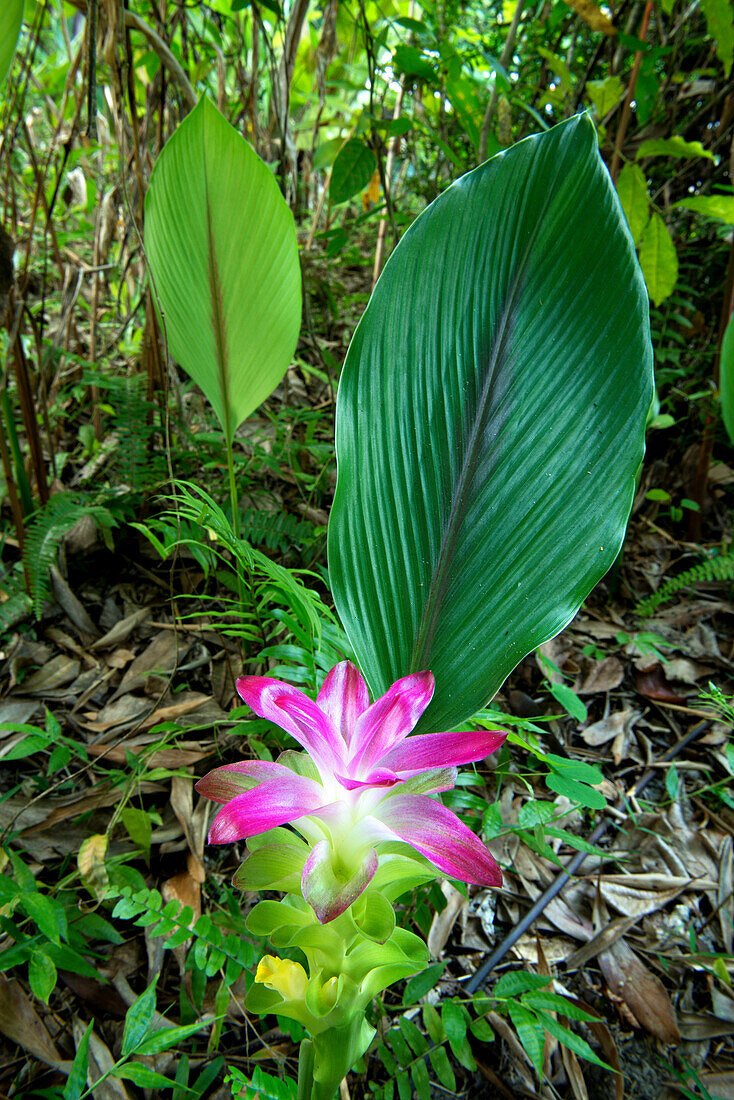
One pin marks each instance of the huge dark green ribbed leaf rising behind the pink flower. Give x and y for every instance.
(490, 423)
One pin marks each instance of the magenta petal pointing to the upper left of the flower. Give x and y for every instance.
(293, 711)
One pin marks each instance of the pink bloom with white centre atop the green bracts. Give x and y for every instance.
(364, 783)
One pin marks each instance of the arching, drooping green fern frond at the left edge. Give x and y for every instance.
(43, 537)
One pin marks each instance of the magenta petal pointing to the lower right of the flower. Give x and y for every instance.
(440, 835)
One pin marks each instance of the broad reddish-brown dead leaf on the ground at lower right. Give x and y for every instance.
(642, 992)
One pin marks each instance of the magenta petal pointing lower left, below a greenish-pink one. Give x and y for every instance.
(272, 804)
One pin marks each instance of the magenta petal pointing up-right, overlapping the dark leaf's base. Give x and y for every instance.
(389, 721)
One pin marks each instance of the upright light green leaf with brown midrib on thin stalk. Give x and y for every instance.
(222, 245)
